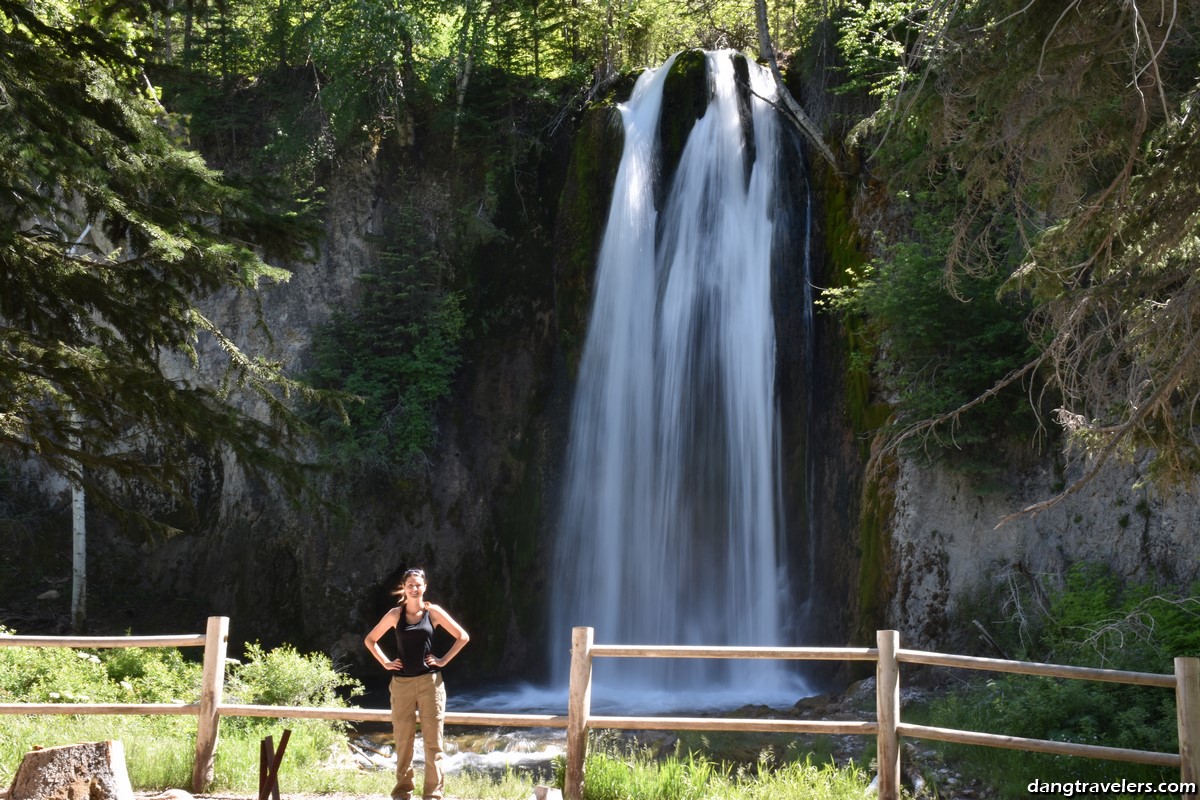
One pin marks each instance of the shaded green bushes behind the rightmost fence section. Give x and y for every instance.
(1094, 619)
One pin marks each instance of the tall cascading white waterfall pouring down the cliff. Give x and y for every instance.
(671, 527)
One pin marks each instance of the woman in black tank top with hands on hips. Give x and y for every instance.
(417, 681)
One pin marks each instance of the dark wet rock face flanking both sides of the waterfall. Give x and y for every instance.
(482, 521)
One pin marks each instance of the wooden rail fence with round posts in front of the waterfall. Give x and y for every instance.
(579, 721)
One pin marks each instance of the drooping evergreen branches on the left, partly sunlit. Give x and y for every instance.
(112, 234)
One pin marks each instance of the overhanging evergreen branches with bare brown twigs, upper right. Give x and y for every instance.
(1065, 130)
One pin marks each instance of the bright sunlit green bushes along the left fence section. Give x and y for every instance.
(160, 749)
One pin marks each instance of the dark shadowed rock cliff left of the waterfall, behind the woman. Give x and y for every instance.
(319, 578)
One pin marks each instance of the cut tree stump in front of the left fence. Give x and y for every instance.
(87, 772)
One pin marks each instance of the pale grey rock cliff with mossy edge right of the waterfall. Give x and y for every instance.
(922, 552)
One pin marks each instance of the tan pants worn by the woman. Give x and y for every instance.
(428, 695)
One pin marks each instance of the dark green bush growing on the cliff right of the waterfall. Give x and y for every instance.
(944, 345)
